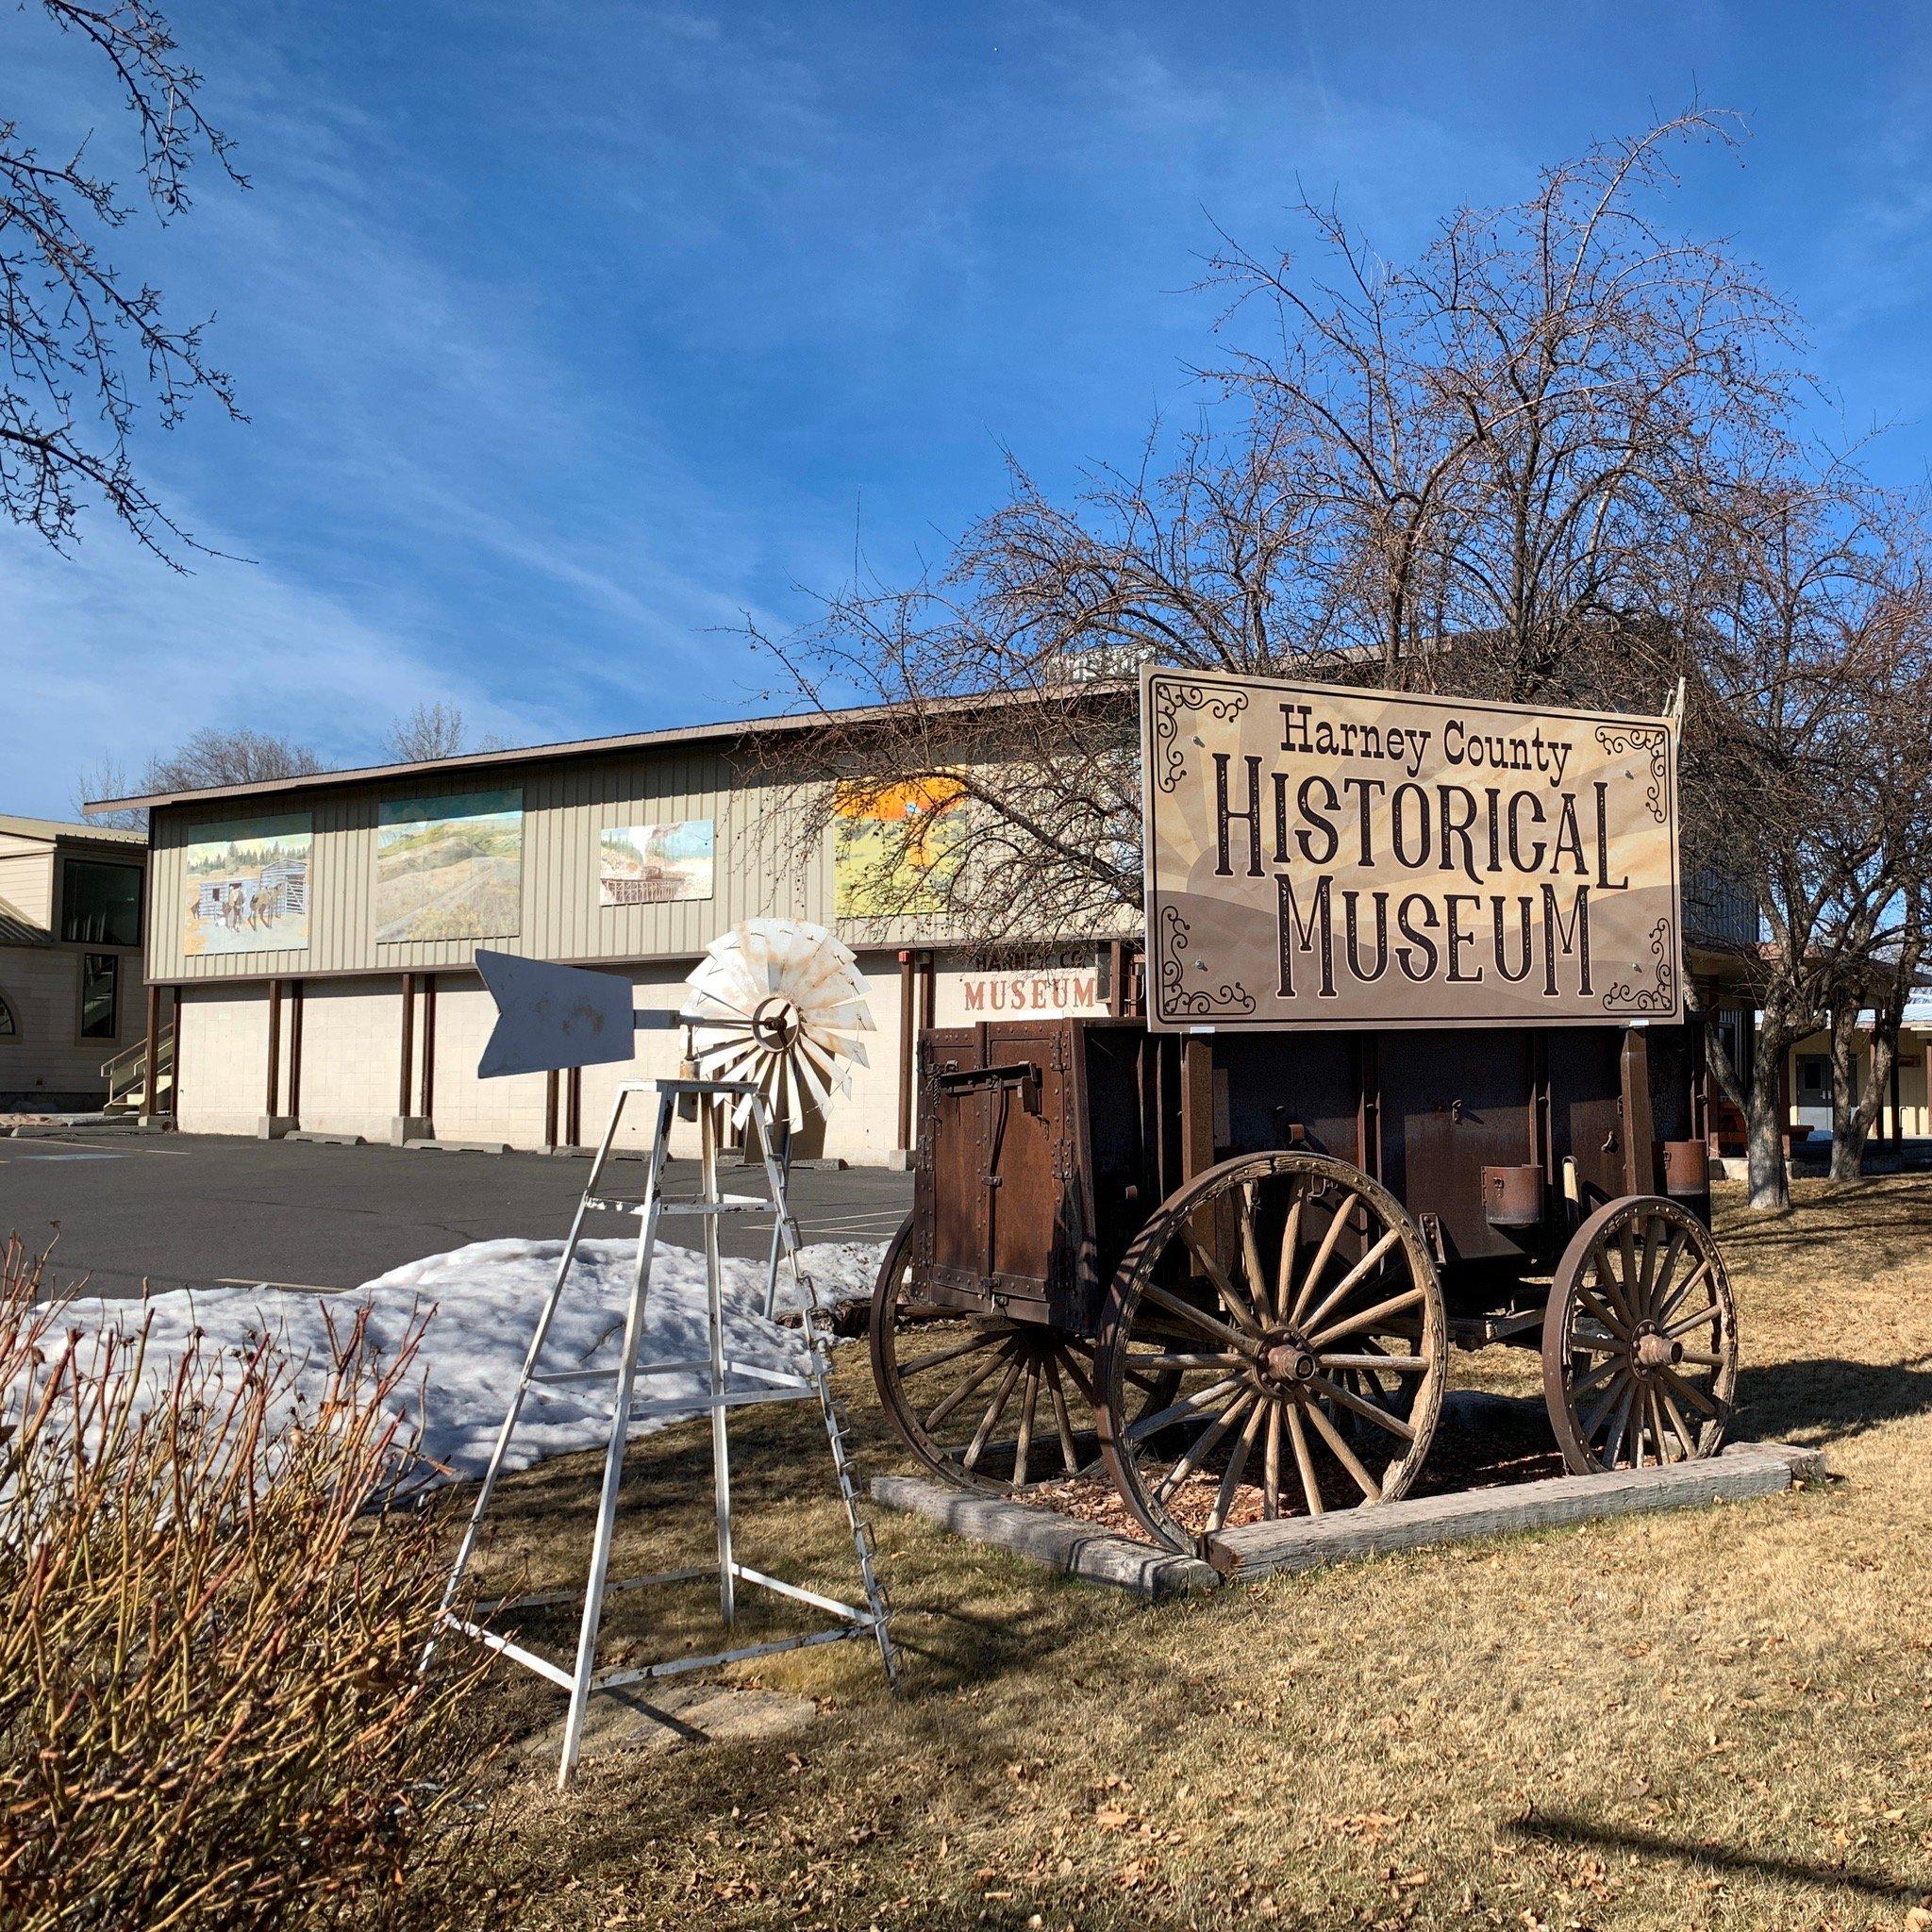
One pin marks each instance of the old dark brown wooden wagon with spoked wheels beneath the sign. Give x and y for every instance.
(1230, 1259)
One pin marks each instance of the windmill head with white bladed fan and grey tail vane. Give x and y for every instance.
(778, 1006)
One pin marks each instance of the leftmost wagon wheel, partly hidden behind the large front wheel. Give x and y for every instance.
(986, 1404)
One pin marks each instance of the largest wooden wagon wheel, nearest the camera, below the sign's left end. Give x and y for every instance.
(1301, 1315)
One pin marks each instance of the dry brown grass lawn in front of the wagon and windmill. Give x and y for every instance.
(1719, 1719)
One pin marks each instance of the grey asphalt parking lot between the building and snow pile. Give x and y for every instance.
(175, 1212)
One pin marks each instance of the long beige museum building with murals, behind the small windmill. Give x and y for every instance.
(318, 938)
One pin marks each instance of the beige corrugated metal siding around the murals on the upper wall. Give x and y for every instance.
(565, 809)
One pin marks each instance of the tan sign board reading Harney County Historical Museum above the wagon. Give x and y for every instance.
(1334, 857)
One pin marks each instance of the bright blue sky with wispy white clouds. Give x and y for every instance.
(571, 333)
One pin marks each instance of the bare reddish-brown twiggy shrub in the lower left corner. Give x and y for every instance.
(210, 1695)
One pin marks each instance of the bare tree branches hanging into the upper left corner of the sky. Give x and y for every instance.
(78, 341)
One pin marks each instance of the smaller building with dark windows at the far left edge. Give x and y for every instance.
(72, 992)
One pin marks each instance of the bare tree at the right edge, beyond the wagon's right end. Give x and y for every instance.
(1804, 637)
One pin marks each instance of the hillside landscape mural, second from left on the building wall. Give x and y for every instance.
(449, 868)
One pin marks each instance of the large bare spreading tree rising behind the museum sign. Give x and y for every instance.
(1496, 445)
